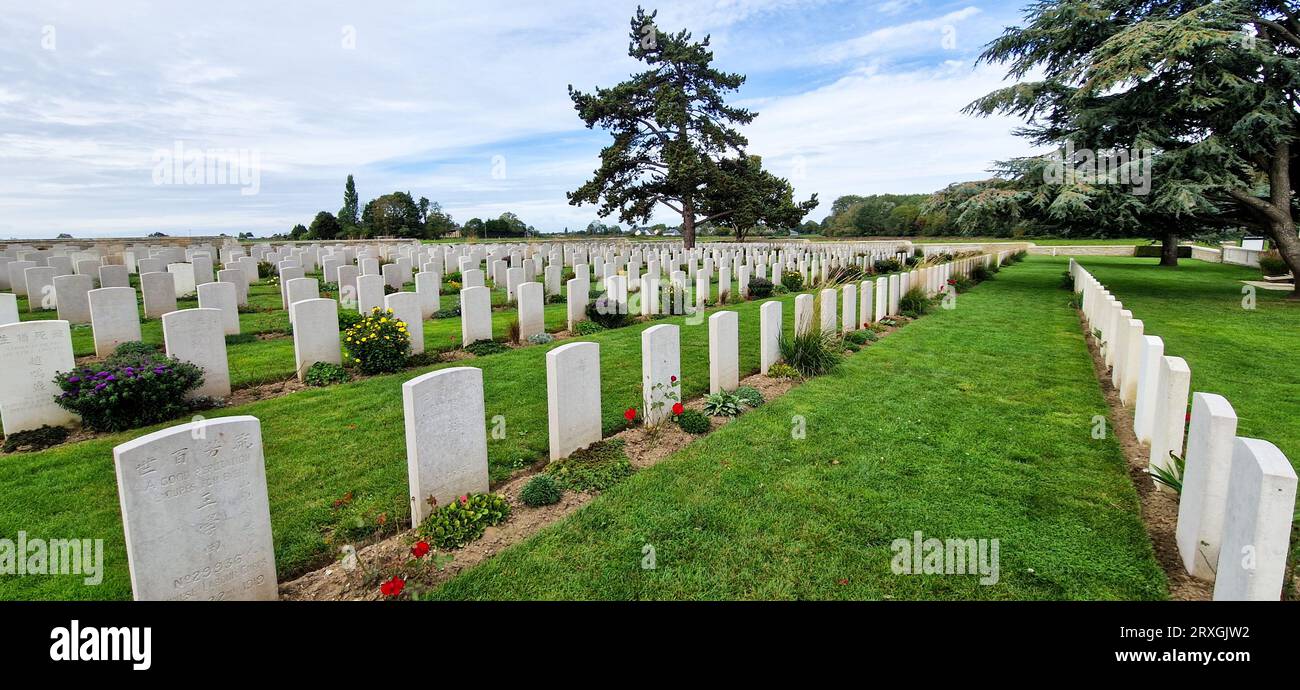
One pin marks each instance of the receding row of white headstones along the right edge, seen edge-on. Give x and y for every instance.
(1240, 494)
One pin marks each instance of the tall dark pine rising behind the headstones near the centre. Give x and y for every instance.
(674, 136)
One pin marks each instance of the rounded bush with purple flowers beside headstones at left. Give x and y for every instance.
(131, 389)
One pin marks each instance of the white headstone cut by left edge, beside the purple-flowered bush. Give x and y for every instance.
(32, 354)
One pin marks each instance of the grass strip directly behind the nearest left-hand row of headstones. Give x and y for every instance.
(322, 445)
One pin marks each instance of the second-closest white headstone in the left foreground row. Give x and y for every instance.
(447, 439)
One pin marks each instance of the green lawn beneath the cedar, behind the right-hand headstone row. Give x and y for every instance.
(1245, 355)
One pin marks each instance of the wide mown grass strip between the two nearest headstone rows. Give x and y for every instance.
(968, 424)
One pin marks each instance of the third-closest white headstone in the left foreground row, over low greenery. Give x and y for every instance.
(574, 398)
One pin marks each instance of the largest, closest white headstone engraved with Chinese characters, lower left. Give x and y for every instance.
(196, 513)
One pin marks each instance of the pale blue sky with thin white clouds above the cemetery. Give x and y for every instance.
(463, 103)
